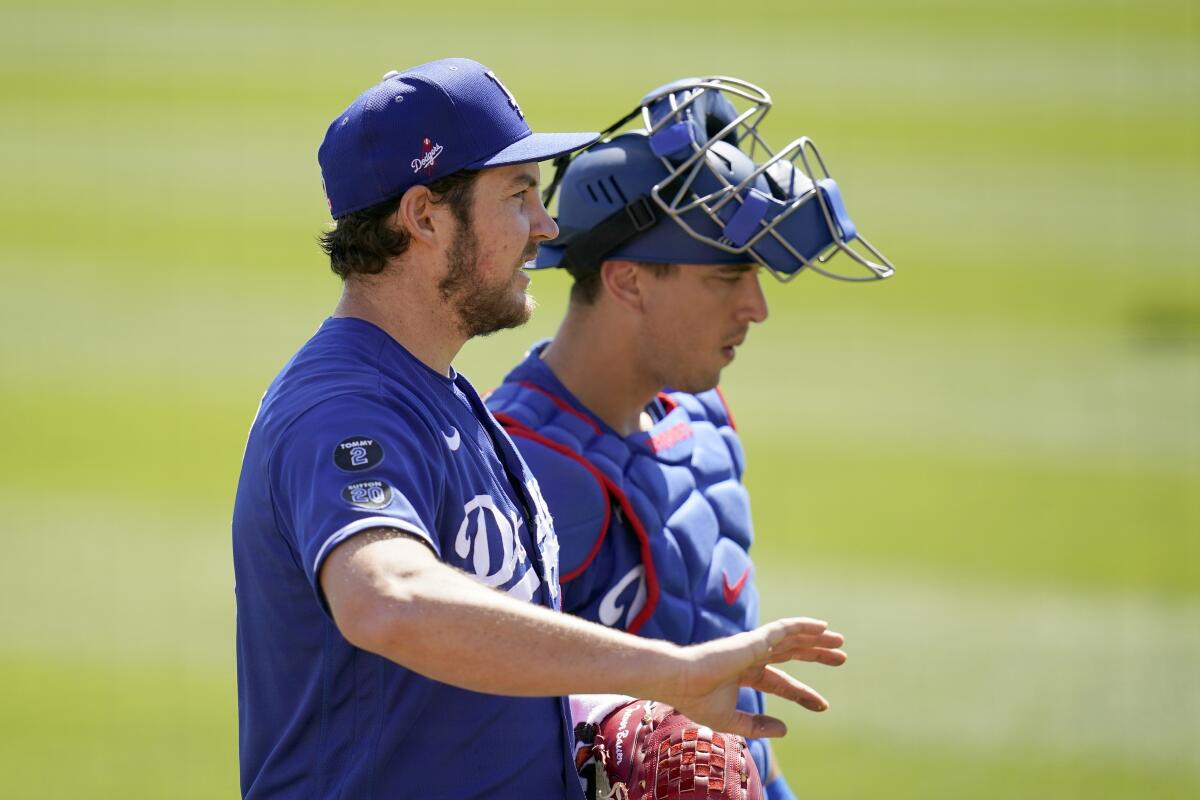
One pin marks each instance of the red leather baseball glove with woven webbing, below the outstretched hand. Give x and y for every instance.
(649, 751)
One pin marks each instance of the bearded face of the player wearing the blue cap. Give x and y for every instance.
(484, 282)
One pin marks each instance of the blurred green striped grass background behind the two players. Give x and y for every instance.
(986, 472)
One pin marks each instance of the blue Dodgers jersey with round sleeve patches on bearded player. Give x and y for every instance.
(355, 435)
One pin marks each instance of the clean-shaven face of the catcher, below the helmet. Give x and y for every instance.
(694, 320)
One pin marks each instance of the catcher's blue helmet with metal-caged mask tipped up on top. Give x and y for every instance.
(700, 185)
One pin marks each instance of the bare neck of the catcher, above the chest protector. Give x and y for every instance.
(598, 363)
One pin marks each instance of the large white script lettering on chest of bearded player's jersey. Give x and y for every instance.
(489, 544)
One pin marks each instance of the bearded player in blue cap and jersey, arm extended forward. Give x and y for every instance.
(397, 567)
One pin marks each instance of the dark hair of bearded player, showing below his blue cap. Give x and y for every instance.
(363, 242)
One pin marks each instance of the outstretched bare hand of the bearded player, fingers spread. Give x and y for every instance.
(707, 690)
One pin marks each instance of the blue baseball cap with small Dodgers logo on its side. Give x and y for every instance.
(427, 123)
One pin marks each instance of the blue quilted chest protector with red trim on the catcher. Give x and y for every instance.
(656, 527)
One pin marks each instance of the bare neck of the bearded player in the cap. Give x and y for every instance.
(415, 316)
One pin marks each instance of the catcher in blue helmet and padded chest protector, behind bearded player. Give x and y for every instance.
(665, 231)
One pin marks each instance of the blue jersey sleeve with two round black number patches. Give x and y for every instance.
(351, 465)
